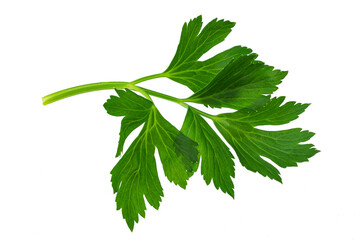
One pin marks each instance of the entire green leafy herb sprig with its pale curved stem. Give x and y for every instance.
(232, 79)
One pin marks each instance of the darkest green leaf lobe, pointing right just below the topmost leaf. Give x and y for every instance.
(240, 84)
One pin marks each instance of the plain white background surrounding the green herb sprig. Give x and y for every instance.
(55, 160)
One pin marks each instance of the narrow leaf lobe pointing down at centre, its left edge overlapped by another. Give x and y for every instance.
(216, 159)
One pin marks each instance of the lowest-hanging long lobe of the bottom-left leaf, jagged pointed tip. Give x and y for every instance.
(134, 177)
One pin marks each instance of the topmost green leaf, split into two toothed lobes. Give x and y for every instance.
(186, 69)
